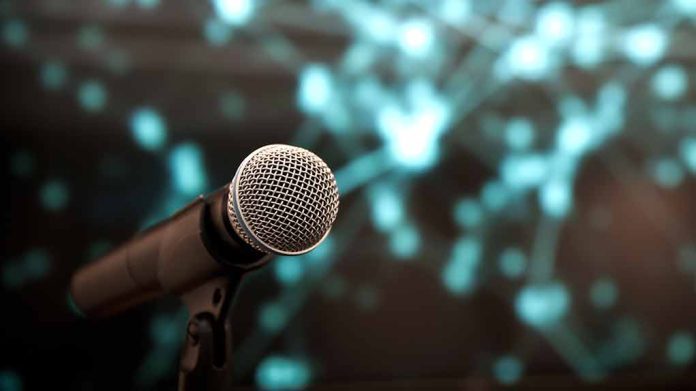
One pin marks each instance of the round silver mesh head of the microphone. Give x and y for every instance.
(283, 200)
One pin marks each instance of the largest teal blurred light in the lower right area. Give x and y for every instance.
(542, 305)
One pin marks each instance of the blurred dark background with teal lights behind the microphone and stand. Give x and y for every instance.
(517, 183)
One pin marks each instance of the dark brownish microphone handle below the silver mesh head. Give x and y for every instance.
(174, 256)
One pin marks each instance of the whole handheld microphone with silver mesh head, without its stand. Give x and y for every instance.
(282, 200)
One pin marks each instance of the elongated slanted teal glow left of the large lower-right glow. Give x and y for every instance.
(459, 275)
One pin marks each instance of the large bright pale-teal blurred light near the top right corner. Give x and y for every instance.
(646, 44)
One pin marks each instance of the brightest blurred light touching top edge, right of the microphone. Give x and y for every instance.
(555, 22)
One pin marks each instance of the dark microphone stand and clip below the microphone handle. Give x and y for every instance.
(206, 359)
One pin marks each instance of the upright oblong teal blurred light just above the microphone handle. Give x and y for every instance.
(188, 170)
